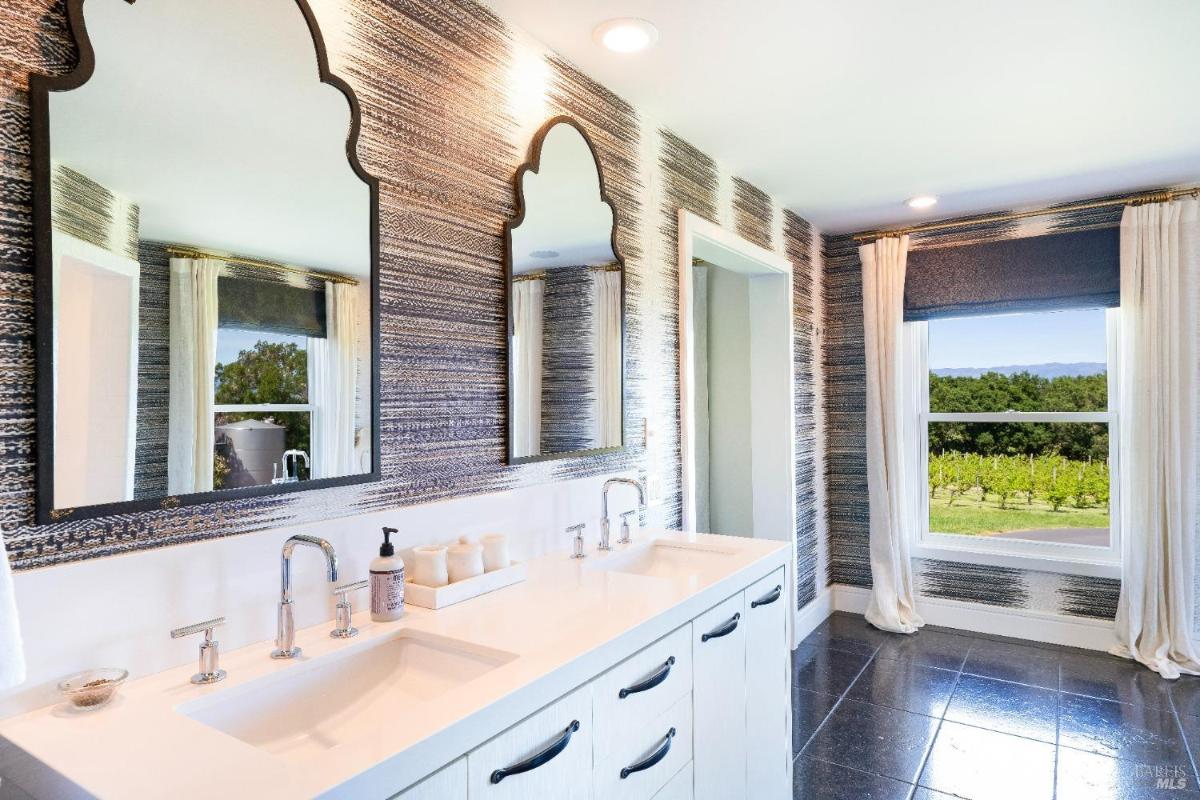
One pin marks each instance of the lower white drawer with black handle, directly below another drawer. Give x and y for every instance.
(652, 748)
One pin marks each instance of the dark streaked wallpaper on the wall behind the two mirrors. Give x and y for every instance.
(451, 100)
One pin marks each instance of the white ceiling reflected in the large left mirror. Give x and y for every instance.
(212, 117)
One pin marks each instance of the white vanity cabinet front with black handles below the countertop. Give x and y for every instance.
(703, 713)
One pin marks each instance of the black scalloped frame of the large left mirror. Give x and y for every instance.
(40, 88)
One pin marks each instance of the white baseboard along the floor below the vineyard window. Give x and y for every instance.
(1018, 623)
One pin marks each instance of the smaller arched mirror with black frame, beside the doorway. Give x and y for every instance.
(567, 303)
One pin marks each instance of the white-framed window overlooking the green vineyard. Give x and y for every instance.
(1018, 422)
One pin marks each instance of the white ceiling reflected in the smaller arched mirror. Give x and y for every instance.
(565, 214)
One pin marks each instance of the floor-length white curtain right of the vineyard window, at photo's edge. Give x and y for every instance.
(1159, 384)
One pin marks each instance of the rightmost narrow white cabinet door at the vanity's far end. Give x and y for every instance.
(769, 690)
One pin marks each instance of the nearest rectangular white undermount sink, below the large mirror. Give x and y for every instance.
(320, 706)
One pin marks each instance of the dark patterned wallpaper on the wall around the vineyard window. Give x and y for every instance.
(844, 364)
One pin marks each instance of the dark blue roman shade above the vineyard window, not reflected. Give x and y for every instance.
(1079, 269)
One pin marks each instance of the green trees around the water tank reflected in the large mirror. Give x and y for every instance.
(271, 372)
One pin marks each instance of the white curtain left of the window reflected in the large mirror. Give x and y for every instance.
(194, 350)
